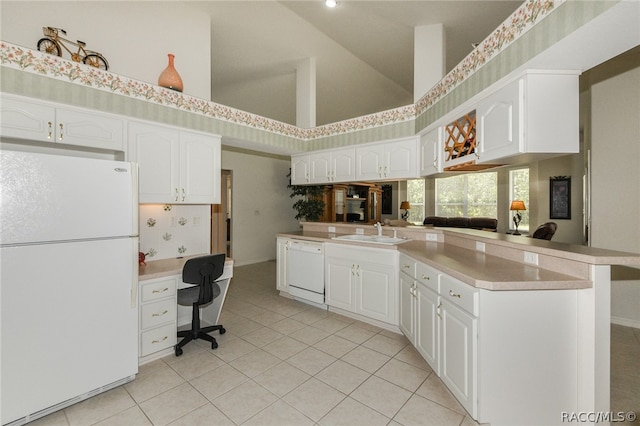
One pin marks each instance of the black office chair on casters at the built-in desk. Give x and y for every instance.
(202, 271)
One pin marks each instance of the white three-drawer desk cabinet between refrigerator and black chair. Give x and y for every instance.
(158, 314)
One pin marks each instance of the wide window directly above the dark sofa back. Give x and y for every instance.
(468, 195)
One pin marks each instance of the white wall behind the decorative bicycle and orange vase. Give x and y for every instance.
(135, 37)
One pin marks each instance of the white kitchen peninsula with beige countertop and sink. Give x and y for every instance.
(518, 329)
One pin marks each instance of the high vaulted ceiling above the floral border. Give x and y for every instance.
(363, 51)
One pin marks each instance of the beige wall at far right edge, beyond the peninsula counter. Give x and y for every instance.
(615, 194)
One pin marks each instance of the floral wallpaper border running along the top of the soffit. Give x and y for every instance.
(524, 18)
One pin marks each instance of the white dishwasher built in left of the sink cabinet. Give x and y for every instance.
(305, 270)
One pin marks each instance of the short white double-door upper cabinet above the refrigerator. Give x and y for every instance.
(31, 119)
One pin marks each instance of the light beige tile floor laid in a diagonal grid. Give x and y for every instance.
(283, 363)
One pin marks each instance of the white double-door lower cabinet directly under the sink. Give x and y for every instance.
(363, 281)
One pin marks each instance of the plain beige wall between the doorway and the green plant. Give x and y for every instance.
(261, 206)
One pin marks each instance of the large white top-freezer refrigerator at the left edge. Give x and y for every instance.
(68, 280)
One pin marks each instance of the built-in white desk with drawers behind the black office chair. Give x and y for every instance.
(160, 314)
